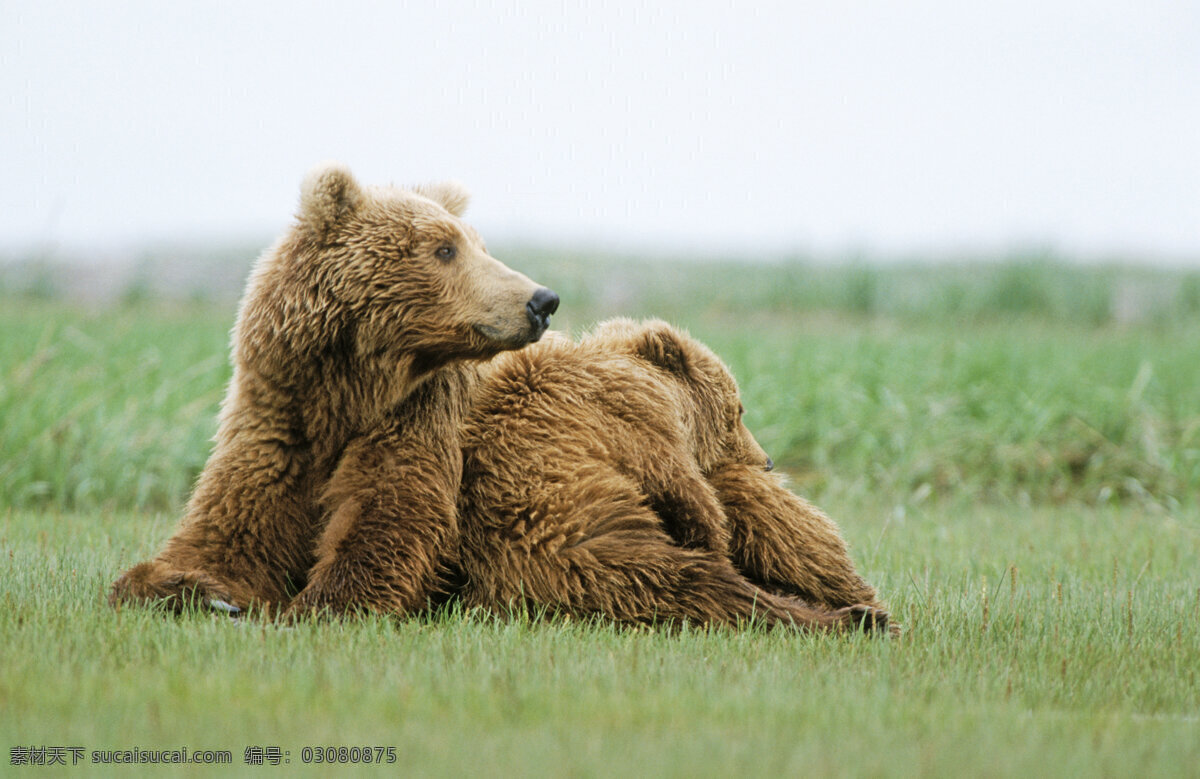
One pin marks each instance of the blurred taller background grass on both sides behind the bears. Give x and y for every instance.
(1025, 380)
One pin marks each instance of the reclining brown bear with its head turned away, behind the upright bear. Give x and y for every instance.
(616, 477)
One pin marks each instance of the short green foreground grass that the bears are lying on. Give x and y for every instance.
(1046, 642)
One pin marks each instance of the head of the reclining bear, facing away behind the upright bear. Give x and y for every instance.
(712, 404)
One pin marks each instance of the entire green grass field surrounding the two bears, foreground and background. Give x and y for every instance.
(1013, 453)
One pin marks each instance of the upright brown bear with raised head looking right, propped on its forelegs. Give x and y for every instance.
(337, 465)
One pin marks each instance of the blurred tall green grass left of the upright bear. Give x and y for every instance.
(107, 409)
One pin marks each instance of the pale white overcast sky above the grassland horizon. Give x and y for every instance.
(890, 128)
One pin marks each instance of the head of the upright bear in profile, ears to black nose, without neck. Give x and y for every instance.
(398, 272)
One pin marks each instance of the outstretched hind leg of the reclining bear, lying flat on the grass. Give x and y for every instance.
(611, 556)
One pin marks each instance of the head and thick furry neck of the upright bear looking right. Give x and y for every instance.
(385, 277)
